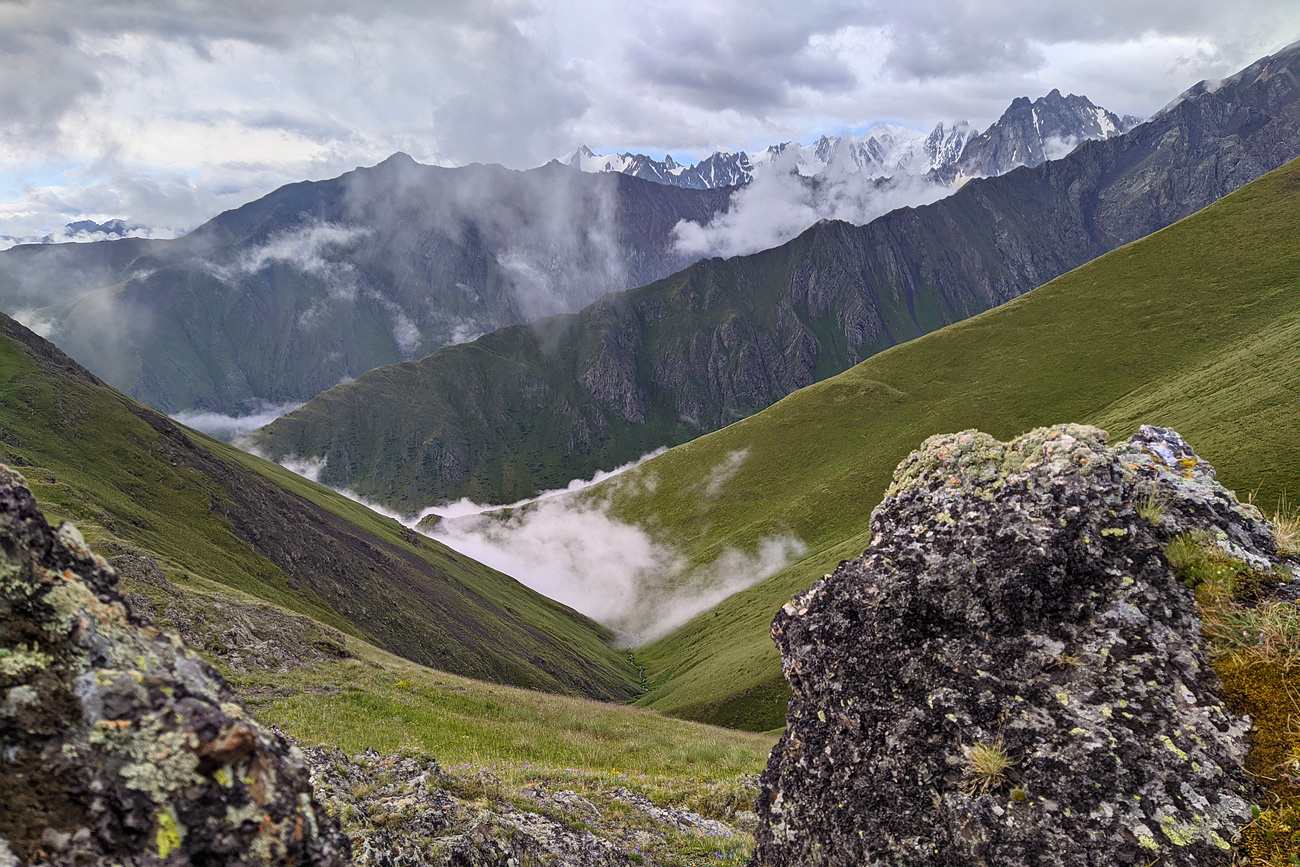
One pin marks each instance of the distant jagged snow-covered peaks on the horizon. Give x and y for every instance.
(1026, 135)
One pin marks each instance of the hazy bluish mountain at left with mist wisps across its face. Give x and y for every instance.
(322, 281)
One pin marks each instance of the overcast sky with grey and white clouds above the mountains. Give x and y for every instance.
(167, 112)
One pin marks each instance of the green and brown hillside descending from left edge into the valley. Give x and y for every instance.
(140, 485)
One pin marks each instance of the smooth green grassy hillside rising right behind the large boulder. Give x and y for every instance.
(1197, 328)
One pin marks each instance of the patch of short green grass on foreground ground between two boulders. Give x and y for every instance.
(523, 739)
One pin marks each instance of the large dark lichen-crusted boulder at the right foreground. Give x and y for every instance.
(1011, 674)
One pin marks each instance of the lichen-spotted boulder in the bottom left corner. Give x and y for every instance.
(116, 744)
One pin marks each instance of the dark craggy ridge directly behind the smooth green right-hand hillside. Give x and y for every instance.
(528, 409)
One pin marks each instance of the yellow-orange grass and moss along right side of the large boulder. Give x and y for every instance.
(1254, 643)
